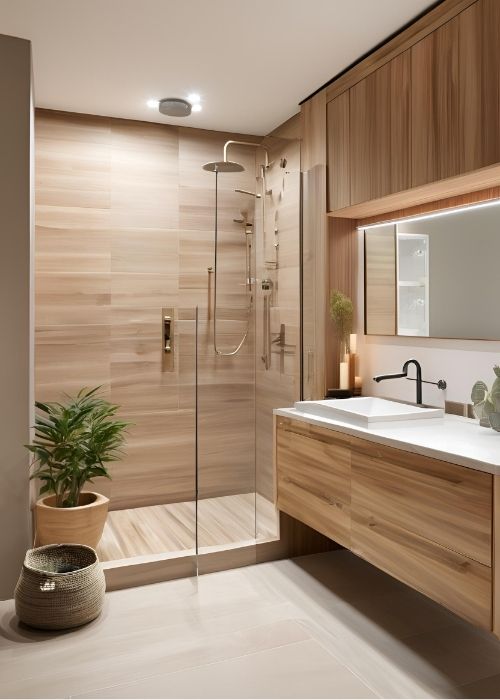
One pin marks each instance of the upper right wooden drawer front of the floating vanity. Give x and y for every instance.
(444, 503)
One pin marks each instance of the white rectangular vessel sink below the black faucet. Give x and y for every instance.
(366, 410)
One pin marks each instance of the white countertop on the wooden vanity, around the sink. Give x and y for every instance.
(452, 438)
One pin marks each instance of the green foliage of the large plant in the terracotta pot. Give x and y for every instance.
(73, 443)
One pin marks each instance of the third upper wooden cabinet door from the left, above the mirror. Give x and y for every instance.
(434, 105)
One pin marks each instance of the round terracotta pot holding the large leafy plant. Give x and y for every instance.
(80, 525)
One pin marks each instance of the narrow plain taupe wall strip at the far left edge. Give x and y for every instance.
(16, 339)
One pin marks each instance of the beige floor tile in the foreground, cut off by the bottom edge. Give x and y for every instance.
(301, 670)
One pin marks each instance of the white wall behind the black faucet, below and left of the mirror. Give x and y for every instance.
(459, 362)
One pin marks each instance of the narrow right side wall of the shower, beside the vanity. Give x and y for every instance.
(279, 385)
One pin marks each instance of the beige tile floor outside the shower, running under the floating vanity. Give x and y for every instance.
(327, 625)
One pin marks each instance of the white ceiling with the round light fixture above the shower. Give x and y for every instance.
(251, 61)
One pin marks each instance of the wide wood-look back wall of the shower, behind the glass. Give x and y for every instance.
(124, 227)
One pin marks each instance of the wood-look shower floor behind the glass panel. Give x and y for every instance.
(171, 528)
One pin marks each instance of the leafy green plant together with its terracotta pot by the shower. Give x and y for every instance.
(73, 443)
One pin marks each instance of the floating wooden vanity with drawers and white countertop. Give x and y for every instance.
(417, 497)
